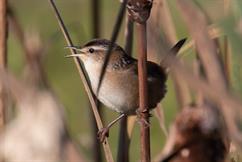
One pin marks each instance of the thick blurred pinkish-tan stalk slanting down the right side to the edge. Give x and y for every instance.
(212, 67)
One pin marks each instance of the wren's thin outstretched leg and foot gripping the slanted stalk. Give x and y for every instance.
(104, 132)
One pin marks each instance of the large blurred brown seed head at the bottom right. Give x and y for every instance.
(198, 135)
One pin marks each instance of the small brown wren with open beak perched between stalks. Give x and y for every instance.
(119, 89)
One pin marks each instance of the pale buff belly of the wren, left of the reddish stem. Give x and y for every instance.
(119, 92)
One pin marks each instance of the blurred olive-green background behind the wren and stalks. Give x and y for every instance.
(62, 73)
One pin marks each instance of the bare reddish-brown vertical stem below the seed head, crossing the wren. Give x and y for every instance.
(143, 102)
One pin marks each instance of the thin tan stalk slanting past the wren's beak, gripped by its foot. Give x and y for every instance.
(80, 68)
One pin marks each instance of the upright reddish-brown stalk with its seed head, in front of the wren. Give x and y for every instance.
(139, 11)
